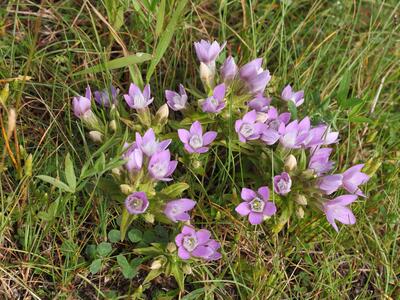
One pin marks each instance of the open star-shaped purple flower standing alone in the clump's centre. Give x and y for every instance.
(194, 140)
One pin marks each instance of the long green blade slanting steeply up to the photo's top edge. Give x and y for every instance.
(166, 38)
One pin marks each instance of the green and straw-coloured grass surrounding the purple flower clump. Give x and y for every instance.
(317, 45)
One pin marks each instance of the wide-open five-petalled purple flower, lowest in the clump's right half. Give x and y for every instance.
(256, 205)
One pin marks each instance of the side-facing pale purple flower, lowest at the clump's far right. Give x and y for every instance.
(337, 209)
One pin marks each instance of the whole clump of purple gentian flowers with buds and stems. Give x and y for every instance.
(235, 105)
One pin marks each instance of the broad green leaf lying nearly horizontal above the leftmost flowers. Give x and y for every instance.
(117, 63)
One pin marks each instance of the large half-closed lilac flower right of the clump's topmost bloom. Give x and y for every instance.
(255, 76)
